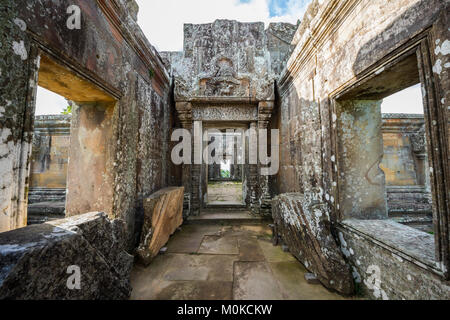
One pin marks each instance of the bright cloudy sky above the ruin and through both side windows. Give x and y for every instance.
(162, 22)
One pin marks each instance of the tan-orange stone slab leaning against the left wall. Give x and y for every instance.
(163, 215)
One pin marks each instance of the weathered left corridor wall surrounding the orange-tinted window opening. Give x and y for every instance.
(110, 71)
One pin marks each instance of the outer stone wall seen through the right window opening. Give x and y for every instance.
(405, 165)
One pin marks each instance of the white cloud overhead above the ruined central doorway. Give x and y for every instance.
(162, 20)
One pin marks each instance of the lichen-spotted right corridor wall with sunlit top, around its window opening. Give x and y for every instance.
(330, 122)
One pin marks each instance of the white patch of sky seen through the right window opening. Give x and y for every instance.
(406, 101)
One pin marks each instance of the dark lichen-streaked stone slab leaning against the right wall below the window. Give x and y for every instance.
(304, 225)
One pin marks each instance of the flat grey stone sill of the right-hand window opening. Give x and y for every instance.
(410, 244)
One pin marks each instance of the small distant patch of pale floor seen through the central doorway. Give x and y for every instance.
(225, 193)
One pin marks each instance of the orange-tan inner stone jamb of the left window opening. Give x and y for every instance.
(90, 179)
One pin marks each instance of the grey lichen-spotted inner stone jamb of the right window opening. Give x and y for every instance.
(362, 184)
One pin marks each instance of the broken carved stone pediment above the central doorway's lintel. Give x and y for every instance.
(228, 59)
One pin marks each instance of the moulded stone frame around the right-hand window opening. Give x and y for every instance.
(436, 130)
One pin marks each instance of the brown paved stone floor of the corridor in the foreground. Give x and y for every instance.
(214, 262)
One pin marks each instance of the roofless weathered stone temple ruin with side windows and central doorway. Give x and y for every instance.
(360, 200)
